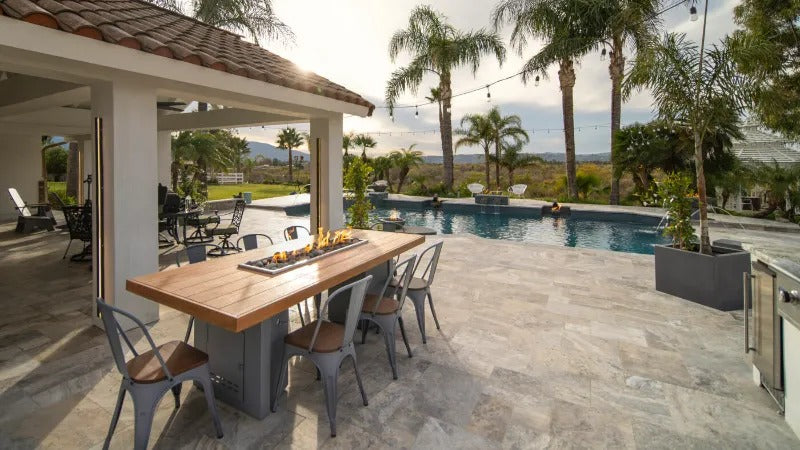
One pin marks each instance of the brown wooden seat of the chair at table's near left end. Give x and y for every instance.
(178, 356)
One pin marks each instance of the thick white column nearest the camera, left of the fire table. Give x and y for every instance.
(130, 179)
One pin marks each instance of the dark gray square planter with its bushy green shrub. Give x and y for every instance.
(713, 279)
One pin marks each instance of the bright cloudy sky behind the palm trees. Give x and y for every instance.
(347, 42)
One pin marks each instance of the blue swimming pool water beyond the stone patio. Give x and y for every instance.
(631, 235)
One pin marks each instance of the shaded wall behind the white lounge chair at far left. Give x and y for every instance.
(21, 168)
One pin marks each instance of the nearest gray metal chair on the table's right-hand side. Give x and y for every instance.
(327, 345)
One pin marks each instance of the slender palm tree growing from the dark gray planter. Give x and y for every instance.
(707, 98)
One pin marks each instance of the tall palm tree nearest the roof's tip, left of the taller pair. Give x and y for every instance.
(437, 47)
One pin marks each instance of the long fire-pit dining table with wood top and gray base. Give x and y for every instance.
(241, 316)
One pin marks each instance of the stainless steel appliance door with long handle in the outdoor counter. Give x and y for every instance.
(762, 328)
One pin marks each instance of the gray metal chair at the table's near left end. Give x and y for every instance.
(150, 375)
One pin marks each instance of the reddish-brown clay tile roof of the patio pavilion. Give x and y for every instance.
(143, 26)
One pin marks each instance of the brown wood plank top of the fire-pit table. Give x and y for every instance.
(219, 292)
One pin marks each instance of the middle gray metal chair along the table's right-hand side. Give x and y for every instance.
(385, 310)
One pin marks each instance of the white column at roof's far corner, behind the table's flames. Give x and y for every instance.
(328, 164)
